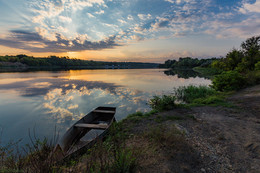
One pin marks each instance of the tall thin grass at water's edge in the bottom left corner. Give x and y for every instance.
(32, 158)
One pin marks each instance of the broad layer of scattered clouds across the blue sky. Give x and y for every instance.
(77, 25)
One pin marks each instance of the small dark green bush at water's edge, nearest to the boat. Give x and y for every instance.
(166, 102)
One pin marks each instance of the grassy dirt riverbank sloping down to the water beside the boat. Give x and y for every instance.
(220, 137)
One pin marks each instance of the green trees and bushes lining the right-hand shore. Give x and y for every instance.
(238, 69)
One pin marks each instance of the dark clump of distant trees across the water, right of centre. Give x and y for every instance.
(187, 62)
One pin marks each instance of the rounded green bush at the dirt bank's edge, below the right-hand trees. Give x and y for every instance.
(229, 81)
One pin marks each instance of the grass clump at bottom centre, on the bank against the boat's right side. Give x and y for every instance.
(111, 155)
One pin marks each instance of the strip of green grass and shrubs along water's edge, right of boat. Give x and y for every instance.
(187, 96)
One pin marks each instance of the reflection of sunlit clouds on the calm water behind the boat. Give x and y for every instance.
(64, 100)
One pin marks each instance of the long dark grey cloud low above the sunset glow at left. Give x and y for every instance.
(35, 42)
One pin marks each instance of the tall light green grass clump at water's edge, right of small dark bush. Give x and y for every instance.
(190, 93)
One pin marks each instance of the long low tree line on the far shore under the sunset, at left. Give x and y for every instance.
(66, 62)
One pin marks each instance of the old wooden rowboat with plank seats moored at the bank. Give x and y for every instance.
(73, 143)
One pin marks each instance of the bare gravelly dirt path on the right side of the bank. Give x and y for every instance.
(228, 139)
